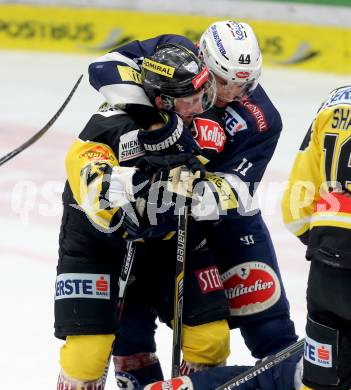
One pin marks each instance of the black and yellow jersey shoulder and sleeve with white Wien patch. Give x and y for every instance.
(109, 140)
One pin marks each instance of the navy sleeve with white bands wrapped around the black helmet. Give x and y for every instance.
(116, 75)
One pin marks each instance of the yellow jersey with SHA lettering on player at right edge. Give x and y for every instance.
(320, 181)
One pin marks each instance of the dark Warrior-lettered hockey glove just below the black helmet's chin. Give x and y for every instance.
(171, 138)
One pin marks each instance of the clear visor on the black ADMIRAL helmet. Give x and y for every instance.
(194, 104)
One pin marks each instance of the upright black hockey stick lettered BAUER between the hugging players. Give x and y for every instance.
(179, 290)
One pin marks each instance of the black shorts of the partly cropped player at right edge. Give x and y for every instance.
(327, 363)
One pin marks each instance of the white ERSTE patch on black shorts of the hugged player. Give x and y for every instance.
(74, 285)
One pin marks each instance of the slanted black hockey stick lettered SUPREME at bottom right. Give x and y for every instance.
(263, 366)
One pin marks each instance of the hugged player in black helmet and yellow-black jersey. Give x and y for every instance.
(109, 176)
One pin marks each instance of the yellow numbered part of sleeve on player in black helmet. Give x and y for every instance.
(89, 165)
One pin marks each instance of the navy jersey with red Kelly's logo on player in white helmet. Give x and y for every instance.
(239, 140)
